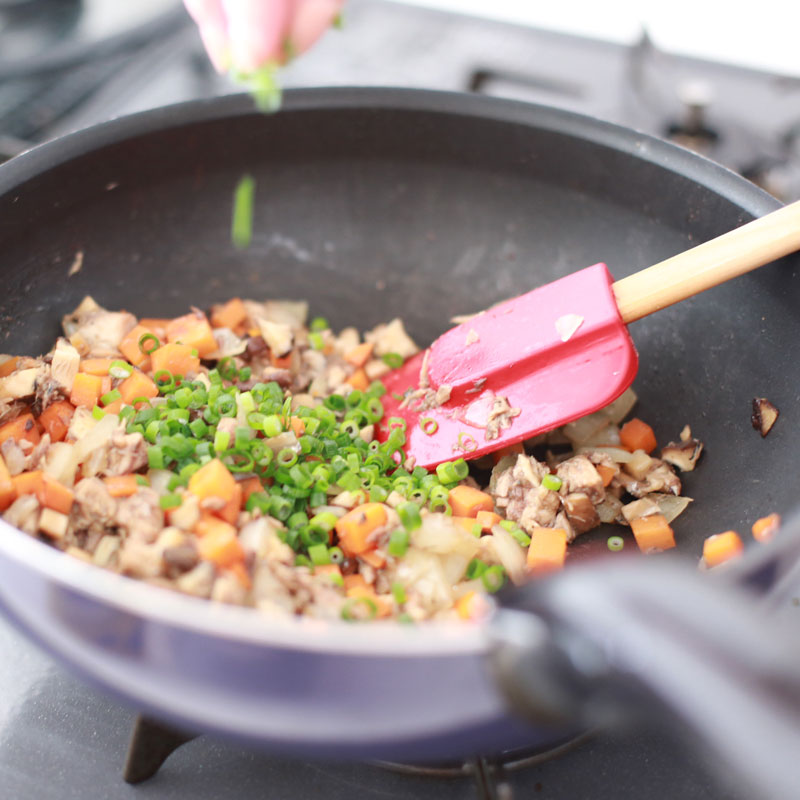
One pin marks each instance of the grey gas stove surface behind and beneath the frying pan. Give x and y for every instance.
(66, 64)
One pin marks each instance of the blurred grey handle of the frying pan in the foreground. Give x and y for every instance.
(657, 638)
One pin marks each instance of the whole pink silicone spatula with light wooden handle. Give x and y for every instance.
(559, 352)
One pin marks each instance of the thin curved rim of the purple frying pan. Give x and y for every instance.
(163, 606)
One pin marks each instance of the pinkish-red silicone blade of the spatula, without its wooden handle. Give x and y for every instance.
(554, 354)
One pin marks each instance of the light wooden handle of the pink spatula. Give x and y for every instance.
(709, 264)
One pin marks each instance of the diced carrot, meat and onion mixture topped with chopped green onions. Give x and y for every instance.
(233, 456)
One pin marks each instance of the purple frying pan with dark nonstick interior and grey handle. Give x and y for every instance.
(380, 203)
